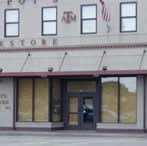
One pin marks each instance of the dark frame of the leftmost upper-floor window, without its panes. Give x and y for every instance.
(5, 23)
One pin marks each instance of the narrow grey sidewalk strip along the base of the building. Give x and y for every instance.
(71, 133)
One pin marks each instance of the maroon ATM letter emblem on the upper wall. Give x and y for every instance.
(68, 16)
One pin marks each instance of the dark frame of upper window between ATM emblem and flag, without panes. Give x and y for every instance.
(88, 19)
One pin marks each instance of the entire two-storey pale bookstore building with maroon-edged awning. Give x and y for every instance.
(67, 69)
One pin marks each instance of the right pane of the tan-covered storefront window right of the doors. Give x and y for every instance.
(128, 100)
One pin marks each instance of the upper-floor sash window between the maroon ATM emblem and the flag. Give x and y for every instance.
(88, 19)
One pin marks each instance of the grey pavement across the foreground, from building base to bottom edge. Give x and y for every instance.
(71, 139)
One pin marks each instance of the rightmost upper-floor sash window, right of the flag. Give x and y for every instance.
(128, 16)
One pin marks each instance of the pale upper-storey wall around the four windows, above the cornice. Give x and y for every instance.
(69, 34)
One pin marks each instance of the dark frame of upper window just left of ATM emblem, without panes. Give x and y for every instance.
(42, 22)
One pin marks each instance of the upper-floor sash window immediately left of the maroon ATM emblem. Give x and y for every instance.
(49, 21)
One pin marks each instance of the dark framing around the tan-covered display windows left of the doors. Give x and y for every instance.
(50, 98)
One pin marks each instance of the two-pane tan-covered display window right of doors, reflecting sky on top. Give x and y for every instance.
(119, 100)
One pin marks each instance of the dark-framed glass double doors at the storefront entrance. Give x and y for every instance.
(81, 112)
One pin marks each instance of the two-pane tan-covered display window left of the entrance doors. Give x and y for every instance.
(33, 99)
